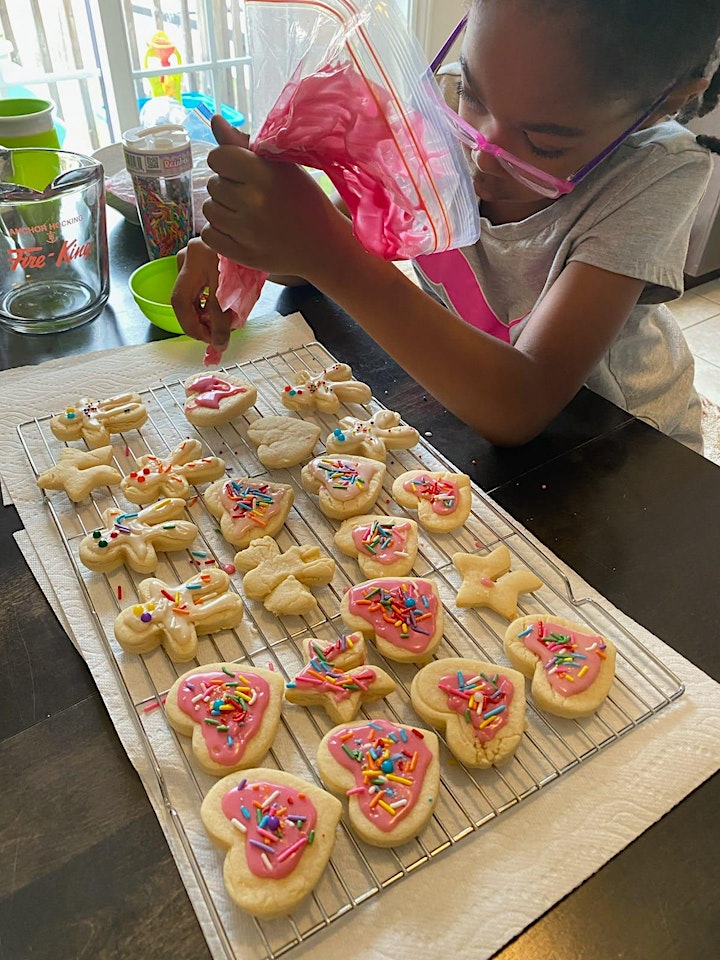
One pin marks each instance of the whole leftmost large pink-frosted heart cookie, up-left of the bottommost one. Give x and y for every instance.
(231, 712)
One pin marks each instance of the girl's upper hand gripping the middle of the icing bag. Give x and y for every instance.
(267, 214)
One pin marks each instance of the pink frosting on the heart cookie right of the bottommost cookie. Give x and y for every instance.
(398, 758)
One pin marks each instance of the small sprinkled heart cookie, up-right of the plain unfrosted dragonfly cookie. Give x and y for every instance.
(383, 546)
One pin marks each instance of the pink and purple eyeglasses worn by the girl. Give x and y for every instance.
(530, 176)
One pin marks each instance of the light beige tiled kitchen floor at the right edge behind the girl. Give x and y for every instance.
(698, 313)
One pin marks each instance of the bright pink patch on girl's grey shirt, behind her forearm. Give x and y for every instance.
(451, 272)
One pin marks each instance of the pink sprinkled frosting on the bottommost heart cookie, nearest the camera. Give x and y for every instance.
(278, 825)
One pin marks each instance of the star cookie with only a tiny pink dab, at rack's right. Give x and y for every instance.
(487, 583)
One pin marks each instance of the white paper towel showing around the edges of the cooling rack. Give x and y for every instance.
(634, 782)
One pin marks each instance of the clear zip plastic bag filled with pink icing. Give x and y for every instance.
(342, 86)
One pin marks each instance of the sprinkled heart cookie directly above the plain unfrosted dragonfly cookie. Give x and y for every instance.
(249, 508)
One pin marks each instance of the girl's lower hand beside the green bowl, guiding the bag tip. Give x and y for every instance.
(194, 298)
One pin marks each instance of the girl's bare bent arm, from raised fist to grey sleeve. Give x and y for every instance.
(273, 216)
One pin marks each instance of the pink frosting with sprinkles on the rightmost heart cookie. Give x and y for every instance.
(572, 660)
